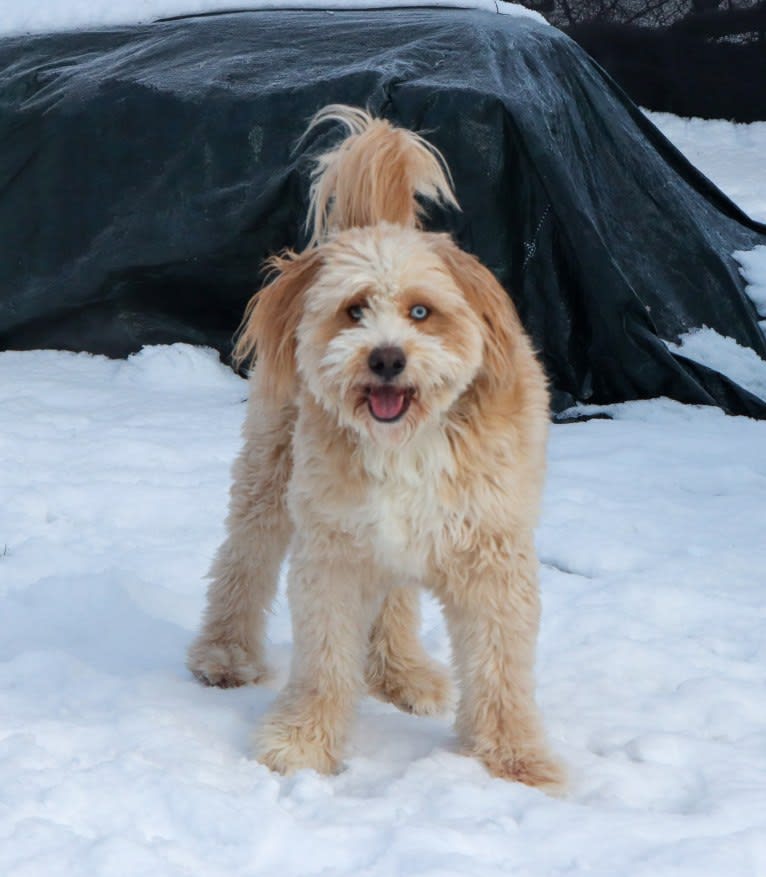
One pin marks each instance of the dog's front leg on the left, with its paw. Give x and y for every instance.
(333, 602)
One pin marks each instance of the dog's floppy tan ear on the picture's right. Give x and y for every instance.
(501, 326)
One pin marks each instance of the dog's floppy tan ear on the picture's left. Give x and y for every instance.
(269, 327)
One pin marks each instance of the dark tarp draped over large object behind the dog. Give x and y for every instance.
(146, 172)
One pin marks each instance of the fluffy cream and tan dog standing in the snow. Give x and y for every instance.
(395, 438)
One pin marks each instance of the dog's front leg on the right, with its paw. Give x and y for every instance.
(492, 607)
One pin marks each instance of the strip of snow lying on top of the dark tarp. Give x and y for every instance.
(45, 16)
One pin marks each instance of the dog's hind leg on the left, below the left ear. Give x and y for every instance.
(229, 650)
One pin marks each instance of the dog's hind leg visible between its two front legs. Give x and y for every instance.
(398, 668)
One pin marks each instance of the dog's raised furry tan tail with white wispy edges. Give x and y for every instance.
(374, 175)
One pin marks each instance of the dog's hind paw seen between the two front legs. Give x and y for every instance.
(424, 689)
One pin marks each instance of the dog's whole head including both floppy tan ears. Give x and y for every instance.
(385, 327)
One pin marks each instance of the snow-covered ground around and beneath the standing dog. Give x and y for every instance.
(652, 657)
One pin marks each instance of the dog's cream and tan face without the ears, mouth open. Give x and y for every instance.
(386, 341)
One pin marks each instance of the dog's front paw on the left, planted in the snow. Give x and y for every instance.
(285, 746)
